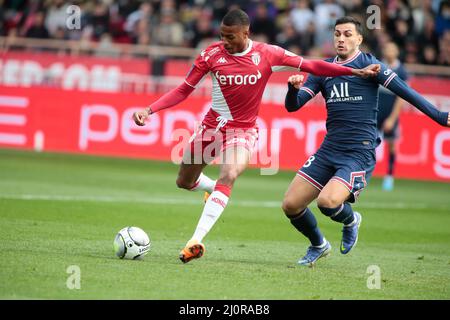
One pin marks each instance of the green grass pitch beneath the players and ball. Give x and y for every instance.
(58, 211)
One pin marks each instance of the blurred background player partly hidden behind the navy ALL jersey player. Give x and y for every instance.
(389, 106)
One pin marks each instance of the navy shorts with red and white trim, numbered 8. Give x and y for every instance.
(352, 168)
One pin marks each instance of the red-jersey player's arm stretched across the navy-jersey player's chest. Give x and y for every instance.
(327, 69)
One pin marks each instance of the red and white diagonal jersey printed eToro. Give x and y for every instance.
(239, 79)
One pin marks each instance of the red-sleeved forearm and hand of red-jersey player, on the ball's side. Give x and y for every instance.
(170, 99)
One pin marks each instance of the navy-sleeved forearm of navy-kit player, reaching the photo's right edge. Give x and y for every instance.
(401, 88)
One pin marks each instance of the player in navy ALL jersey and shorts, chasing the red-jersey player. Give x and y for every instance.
(342, 166)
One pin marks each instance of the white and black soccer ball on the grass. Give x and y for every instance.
(131, 243)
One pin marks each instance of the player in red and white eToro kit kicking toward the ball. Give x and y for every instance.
(240, 69)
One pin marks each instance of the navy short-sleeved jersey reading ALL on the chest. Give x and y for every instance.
(352, 103)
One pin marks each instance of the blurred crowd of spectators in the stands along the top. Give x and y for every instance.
(421, 28)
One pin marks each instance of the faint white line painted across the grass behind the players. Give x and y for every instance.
(239, 203)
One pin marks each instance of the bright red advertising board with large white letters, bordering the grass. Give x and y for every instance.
(100, 123)
